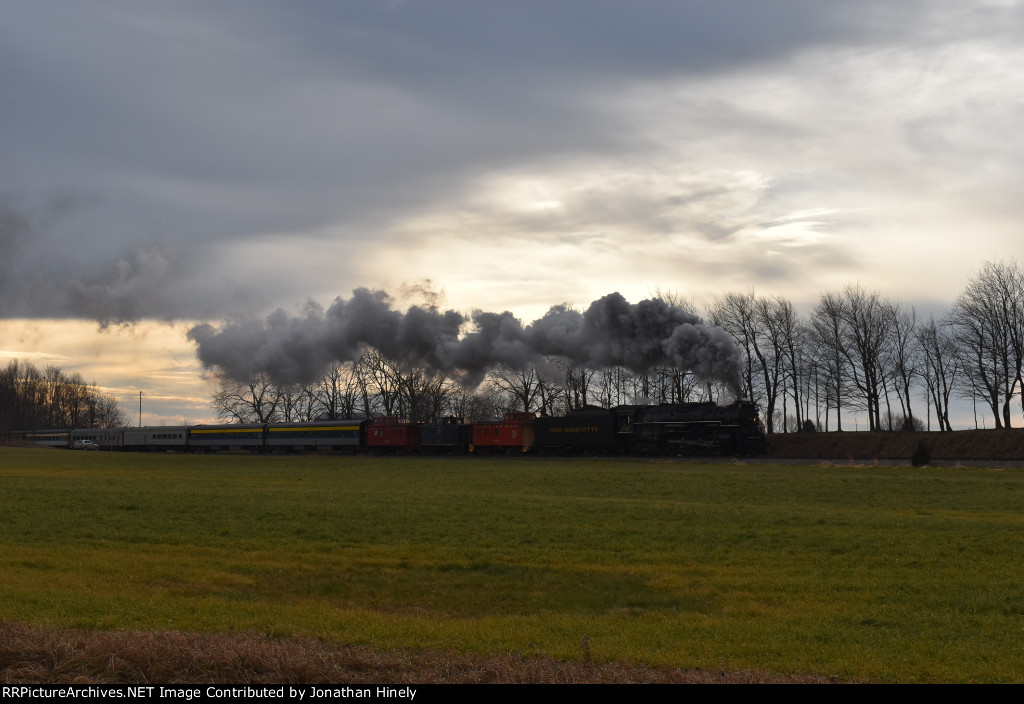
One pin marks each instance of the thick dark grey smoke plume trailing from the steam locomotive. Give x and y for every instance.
(611, 333)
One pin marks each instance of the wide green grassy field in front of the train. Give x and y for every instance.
(881, 574)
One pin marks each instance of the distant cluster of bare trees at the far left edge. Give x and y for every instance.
(33, 399)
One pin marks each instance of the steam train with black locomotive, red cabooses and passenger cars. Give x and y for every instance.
(663, 430)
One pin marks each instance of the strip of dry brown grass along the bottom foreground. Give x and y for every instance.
(39, 655)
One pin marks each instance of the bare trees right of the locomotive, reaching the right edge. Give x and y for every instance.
(860, 353)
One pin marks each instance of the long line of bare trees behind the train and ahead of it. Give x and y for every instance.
(856, 353)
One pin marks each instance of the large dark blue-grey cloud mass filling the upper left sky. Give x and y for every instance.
(194, 125)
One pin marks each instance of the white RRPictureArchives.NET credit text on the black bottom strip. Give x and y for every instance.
(221, 692)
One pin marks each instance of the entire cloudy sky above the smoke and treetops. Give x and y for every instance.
(170, 163)
